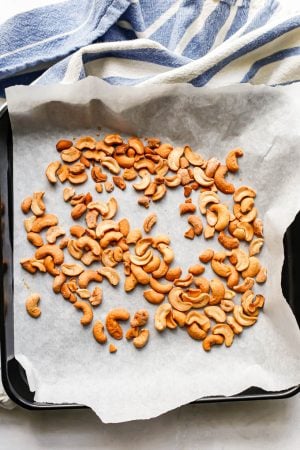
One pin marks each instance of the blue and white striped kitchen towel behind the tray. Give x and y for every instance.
(203, 42)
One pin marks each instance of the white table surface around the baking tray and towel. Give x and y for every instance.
(255, 425)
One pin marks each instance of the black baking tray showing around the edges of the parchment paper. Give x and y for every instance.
(13, 375)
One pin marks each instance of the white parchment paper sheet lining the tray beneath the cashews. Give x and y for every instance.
(62, 361)
